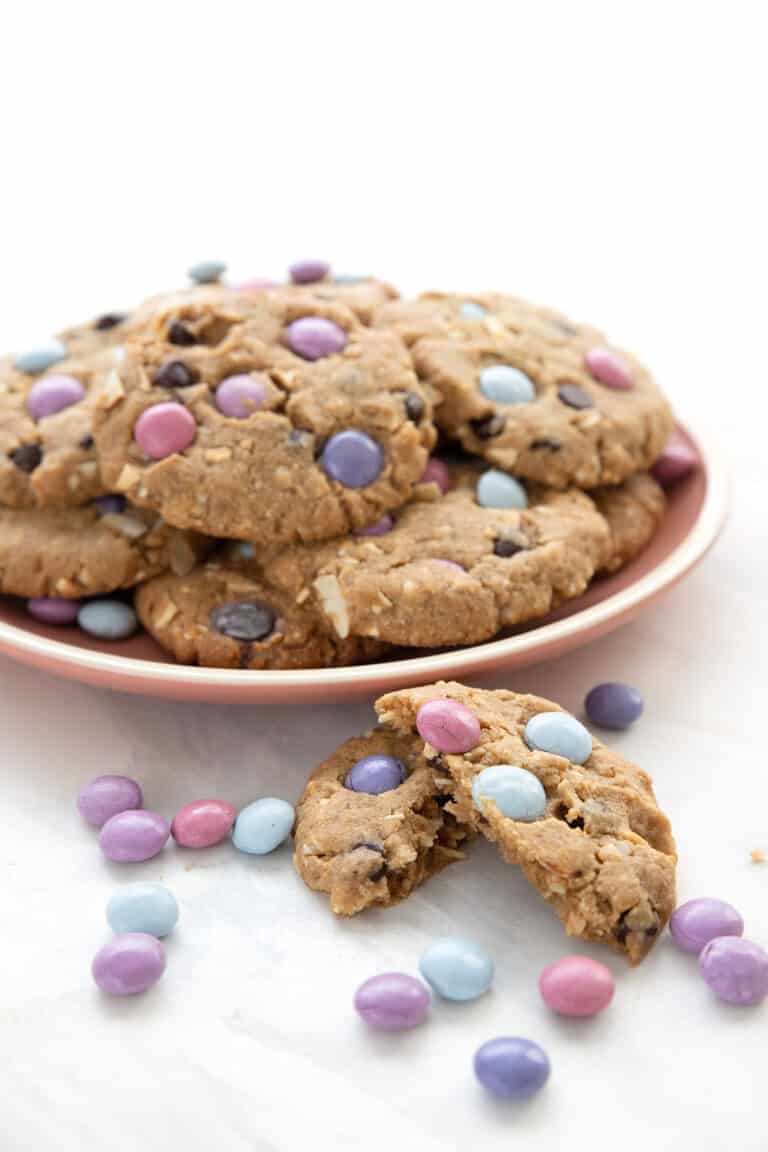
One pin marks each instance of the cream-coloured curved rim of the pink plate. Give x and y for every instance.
(59, 657)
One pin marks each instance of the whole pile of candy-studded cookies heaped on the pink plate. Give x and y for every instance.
(314, 474)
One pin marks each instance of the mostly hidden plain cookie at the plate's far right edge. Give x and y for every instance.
(634, 512)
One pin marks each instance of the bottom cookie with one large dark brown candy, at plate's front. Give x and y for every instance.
(224, 616)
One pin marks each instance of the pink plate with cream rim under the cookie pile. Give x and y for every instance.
(694, 520)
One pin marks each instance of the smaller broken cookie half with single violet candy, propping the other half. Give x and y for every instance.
(370, 850)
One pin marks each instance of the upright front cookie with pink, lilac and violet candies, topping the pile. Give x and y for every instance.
(294, 423)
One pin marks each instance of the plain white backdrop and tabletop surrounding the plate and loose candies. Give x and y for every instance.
(607, 158)
